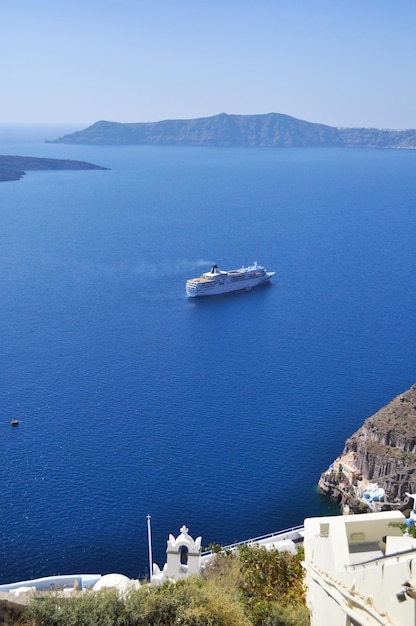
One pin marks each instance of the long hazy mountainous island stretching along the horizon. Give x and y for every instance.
(273, 130)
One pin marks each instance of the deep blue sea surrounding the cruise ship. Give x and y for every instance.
(217, 413)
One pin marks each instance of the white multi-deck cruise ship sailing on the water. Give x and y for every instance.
(216, 281)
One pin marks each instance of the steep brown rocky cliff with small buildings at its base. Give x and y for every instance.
(378, 464)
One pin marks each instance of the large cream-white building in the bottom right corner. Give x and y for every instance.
(360, 570)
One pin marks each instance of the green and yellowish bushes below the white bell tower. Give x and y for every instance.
(253, 588)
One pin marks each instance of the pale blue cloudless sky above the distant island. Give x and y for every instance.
(338, 62)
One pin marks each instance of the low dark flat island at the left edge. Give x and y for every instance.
(14, 167)
